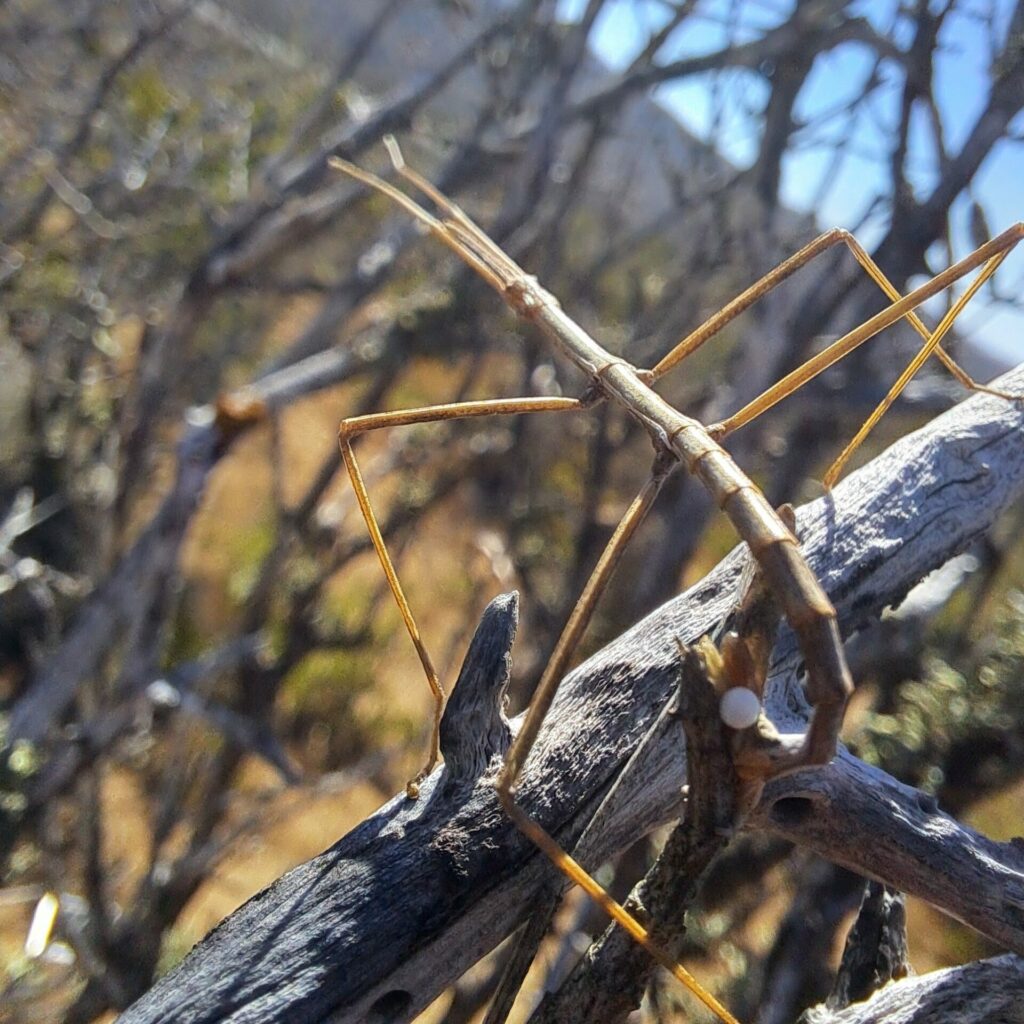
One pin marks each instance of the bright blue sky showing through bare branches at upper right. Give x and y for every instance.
(843, 196)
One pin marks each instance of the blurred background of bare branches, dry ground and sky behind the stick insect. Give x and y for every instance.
(203, 681)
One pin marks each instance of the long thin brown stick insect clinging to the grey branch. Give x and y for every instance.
(677, 440)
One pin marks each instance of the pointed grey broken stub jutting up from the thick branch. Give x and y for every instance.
(475, 731)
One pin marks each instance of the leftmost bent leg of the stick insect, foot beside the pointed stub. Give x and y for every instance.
(357, 425)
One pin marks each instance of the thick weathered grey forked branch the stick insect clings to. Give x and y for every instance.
(381, 923)
